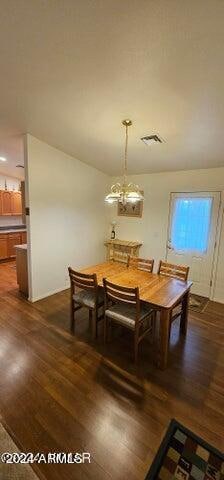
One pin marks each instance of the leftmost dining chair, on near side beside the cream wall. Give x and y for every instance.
(89, 295)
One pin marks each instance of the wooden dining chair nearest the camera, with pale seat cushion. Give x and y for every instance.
(122, 306)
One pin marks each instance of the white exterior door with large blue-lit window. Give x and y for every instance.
(192, 235)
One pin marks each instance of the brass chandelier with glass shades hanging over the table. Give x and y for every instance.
(125, 192)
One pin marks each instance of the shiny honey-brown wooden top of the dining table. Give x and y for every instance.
(160, 291)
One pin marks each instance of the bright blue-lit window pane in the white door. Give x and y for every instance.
(191, 223)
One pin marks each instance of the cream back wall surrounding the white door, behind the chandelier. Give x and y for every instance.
(151, 229)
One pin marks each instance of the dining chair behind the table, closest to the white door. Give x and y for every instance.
(180, 272)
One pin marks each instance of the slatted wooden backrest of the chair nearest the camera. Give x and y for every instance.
(119, 294)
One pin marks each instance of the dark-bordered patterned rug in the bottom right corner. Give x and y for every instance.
(184, 456)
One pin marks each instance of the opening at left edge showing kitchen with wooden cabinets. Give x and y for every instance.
(13, 230)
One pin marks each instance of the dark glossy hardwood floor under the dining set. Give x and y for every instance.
(65, 393)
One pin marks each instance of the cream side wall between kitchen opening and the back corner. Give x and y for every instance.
(68, 219)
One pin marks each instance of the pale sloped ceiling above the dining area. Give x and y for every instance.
(72, 70)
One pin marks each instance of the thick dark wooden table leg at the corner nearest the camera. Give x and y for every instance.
(164, 329)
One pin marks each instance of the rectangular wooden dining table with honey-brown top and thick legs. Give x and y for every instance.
(163, 293)
